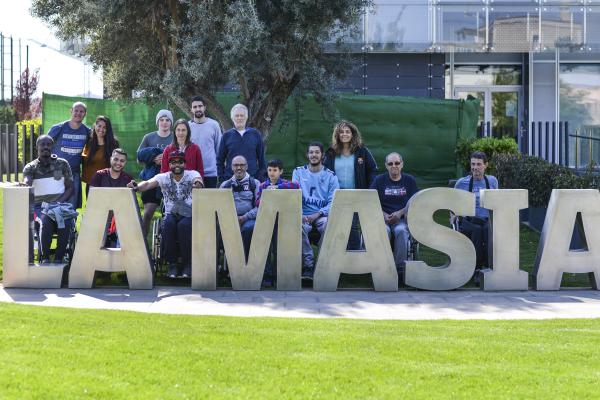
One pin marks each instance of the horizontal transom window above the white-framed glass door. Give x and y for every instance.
(487, 75)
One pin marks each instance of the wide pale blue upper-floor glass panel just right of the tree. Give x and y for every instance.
(399, 26)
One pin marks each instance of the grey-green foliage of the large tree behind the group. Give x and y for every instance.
(268, 49)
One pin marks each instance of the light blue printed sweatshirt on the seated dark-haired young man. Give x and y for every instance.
(317, 189)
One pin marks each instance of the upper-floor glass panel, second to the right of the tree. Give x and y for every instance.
(462, 25)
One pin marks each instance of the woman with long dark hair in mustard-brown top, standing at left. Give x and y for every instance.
(98, 149)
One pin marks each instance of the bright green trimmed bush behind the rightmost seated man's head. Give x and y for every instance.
(489, 145)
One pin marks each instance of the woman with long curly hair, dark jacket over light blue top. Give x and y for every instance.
(353, 164)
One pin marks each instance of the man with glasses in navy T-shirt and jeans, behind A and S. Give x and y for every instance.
(395, 190)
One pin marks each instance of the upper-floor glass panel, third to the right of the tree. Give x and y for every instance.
(513, 28)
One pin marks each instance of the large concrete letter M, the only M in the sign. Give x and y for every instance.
(286, 204)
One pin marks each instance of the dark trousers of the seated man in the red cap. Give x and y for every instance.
(176, 229)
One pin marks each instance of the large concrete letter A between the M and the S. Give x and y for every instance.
(377, 259)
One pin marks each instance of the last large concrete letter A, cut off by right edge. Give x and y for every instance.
(553, 255)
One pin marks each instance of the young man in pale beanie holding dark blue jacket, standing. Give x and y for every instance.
(150, 153)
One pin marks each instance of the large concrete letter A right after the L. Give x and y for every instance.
(91, 256)
